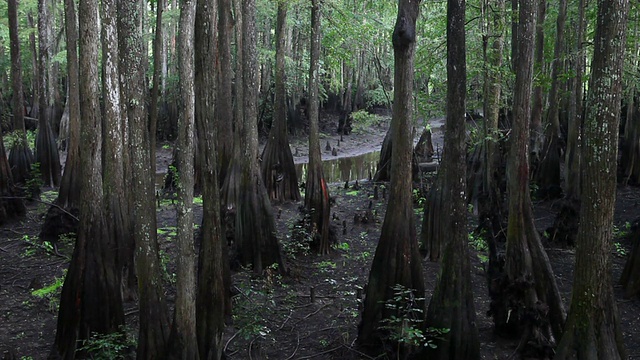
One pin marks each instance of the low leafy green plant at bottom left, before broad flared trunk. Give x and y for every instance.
(117, 345)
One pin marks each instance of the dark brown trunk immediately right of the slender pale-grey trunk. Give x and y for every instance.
(212, 296)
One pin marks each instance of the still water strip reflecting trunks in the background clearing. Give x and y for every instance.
(345, 168)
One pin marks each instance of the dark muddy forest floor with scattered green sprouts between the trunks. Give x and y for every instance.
(274, 316)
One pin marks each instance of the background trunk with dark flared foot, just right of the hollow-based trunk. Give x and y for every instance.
(548, 176)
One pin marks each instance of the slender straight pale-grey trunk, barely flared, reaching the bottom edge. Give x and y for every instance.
(182, 343)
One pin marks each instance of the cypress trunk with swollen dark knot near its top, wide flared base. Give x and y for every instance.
(397, 260)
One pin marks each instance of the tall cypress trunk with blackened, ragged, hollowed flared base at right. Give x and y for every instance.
(528, 286)
